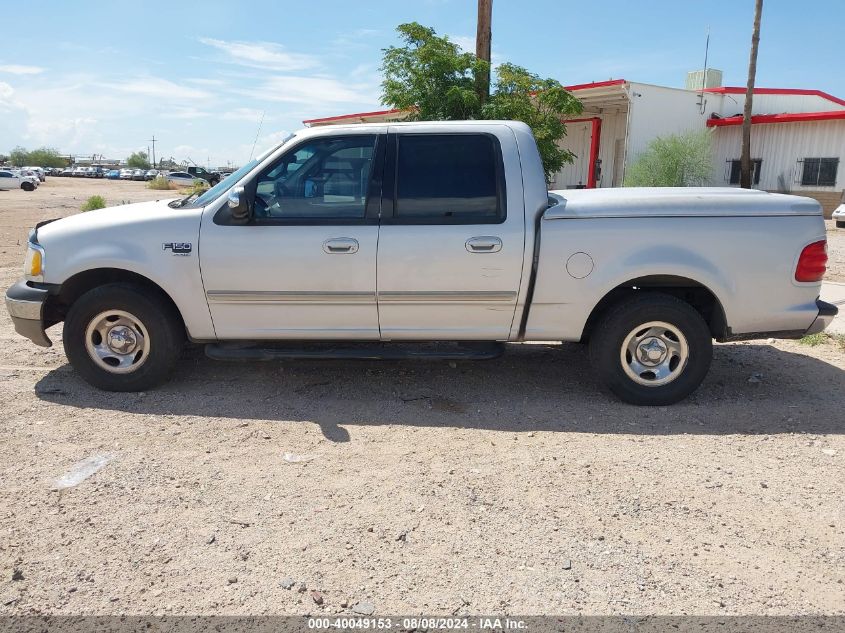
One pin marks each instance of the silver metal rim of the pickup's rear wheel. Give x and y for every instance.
(654, 353)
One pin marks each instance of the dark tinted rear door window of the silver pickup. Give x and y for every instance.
(449, 178)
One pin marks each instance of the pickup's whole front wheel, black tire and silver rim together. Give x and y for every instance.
(123, 337)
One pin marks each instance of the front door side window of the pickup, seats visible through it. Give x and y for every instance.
(323, 178)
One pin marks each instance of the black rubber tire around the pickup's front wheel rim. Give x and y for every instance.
(152, 313)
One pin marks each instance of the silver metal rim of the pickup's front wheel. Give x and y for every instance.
(117, 341)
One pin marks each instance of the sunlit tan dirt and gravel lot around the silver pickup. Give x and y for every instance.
(512, 486)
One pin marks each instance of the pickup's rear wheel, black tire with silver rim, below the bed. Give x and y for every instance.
(620, 325)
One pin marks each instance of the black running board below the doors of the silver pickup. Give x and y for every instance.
(247, 352)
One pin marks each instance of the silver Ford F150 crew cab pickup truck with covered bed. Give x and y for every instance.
(355, 242)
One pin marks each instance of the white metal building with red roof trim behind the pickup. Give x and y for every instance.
(798, 136)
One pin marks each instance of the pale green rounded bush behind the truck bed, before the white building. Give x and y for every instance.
(677, 160)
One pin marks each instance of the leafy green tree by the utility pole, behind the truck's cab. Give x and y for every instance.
(432, 78)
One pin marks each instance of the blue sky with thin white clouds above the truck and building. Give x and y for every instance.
(103, 77)
